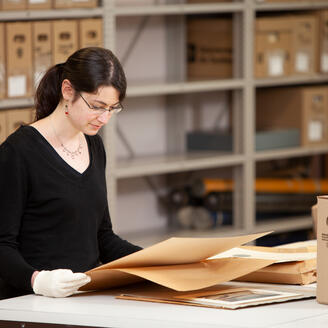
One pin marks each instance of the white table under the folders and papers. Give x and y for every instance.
(103, 310)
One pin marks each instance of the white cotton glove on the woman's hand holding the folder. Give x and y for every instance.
(59, 283)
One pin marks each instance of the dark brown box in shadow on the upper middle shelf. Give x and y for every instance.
(209, 57)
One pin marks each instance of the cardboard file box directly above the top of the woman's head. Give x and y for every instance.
(90, 32)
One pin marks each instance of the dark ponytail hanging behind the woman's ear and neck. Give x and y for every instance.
(48, 93)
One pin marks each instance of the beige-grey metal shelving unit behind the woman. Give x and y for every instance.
(244, 158)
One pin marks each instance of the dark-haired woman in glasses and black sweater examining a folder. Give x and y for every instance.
(54, 221)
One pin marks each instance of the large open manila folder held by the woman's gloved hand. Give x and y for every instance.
(181, 264)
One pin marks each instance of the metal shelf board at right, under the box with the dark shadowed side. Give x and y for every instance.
(290, 152)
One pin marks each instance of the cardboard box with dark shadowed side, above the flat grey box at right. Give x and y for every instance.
(305, 108)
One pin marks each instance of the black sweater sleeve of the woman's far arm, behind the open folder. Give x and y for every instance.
(111, 246)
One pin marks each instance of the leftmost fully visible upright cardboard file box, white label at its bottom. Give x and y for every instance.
(19, 59)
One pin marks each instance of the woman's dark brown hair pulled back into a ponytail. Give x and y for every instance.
(87, 69)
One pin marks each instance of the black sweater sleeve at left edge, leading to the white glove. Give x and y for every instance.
(14, 270)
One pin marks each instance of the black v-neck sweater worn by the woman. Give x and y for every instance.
(52, 216)
